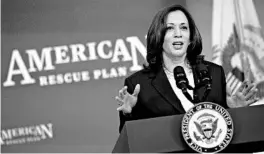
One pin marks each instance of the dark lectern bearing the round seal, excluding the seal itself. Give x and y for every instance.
(163, 134)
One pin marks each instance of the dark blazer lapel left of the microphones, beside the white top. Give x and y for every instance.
(162, 85)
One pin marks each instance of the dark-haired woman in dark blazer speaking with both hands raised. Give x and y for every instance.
(173, 40)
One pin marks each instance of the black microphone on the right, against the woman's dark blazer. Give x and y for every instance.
(205, 79)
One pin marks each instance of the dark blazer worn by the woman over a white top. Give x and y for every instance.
(157, 98)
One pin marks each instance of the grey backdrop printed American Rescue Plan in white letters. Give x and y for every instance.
(62, 64)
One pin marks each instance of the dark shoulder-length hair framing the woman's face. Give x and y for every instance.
(156, 33)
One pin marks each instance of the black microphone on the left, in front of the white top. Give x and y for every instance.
(182, 81)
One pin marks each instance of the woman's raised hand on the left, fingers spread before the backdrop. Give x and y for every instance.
(127, 101)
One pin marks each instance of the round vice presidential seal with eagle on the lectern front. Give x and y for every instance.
(207, 128)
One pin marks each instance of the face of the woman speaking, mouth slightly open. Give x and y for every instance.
(177, 36)
